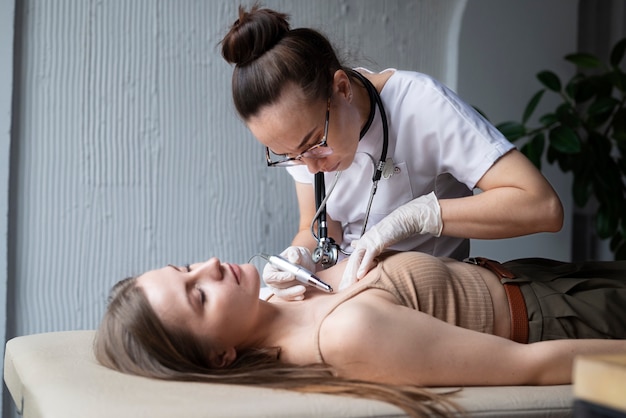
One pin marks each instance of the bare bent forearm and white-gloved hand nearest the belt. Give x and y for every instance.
(516, 200)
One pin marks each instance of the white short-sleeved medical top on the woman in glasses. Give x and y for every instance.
(437, 143)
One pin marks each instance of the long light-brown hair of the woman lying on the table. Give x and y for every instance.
(131, 339)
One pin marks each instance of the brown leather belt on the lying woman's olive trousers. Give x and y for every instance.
(517, 305)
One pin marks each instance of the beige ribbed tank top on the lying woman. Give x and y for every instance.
(441, 287)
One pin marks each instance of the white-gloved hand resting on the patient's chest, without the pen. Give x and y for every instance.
(419, 216)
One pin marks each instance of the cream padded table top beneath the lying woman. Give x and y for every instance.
(55, 375)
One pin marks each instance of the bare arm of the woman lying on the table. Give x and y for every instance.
(379, 341)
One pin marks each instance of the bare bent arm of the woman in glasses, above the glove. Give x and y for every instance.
(516, 200)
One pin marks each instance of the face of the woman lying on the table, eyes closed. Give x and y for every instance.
(211, 300)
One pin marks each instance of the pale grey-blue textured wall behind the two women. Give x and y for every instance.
(130, 152)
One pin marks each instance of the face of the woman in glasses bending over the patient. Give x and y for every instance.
(295, 128)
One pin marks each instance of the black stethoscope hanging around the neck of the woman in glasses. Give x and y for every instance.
(327, 251)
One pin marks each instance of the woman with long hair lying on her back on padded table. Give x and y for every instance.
(413, 321)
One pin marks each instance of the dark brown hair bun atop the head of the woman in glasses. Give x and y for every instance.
(254, 33)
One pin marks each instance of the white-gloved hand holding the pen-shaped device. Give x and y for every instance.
(284, 285)
